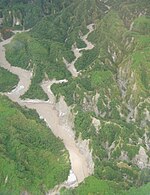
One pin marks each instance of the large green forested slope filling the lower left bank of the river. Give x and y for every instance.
(32, 158)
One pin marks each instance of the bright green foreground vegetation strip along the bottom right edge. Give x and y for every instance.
(93, 186)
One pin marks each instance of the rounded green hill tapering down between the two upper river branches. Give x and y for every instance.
(34, 55)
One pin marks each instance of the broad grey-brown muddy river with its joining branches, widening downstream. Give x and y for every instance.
(57, 117)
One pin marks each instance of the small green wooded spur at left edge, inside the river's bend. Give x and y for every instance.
(7, 80)
